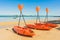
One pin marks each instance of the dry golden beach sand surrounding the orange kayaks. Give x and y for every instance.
(5, 34)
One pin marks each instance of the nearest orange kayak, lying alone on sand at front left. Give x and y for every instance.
(23, 31)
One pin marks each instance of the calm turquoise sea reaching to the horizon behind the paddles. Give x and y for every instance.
(6, 18)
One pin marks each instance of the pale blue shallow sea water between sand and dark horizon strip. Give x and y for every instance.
(6, 18)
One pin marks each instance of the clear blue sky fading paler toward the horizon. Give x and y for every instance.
(10, 7)
